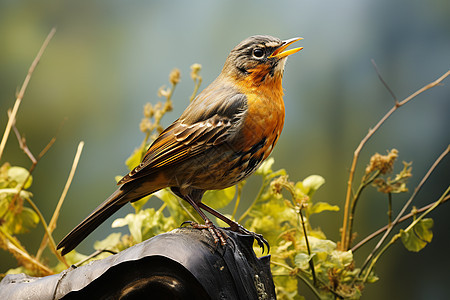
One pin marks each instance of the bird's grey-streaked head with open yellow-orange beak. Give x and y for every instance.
(259, 60)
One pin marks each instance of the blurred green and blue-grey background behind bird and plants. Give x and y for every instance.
(109, 58)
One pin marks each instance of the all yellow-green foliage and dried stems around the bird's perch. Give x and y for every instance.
(281, 211)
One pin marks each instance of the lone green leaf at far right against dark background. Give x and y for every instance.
(419, 236)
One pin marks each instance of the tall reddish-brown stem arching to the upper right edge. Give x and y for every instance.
(344, 245)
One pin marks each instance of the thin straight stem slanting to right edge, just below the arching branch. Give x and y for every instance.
(400, 214)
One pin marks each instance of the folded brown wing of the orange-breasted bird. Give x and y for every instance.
(208, 121)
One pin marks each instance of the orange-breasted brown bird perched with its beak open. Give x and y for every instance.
(220, 139)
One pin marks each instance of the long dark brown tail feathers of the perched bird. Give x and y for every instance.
(118, 199)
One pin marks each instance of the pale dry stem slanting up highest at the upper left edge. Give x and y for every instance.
(19, 98)
